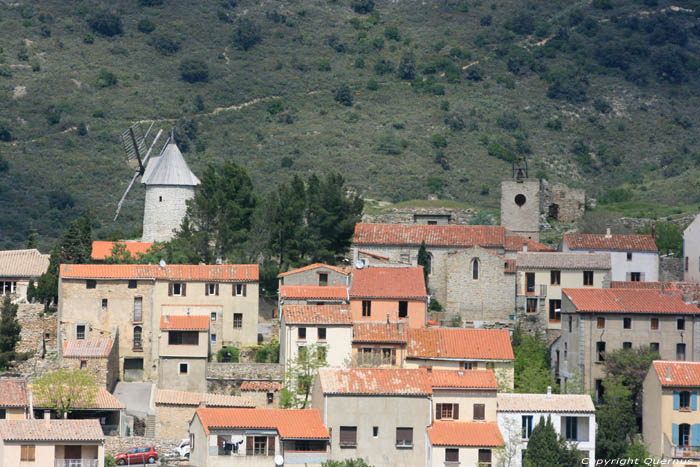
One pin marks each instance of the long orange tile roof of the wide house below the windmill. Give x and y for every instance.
(173, 272)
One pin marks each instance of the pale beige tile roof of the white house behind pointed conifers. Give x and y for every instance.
(545, 403)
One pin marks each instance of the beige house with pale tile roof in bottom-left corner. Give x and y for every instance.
(51, 443)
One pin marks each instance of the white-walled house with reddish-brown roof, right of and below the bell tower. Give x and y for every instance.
(632, 257)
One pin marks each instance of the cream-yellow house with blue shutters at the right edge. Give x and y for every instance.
(671, 426)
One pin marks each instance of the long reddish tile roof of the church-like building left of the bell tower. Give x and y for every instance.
(433, 235)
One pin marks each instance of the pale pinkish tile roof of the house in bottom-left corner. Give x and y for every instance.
(51, 430)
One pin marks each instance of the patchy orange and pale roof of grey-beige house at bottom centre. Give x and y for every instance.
(375, 381)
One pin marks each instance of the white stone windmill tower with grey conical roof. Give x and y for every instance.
(169, 184)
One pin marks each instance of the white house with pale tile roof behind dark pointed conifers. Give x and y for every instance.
(573, 417)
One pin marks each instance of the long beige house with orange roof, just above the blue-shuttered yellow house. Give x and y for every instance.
(596, 321)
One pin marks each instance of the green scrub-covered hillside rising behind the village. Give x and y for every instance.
(404, 98)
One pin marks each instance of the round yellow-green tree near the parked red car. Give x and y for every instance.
(63, 390)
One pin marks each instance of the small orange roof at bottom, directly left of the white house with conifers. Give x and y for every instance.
(468, 434)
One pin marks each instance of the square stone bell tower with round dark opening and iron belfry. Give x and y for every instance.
(520, 203)
